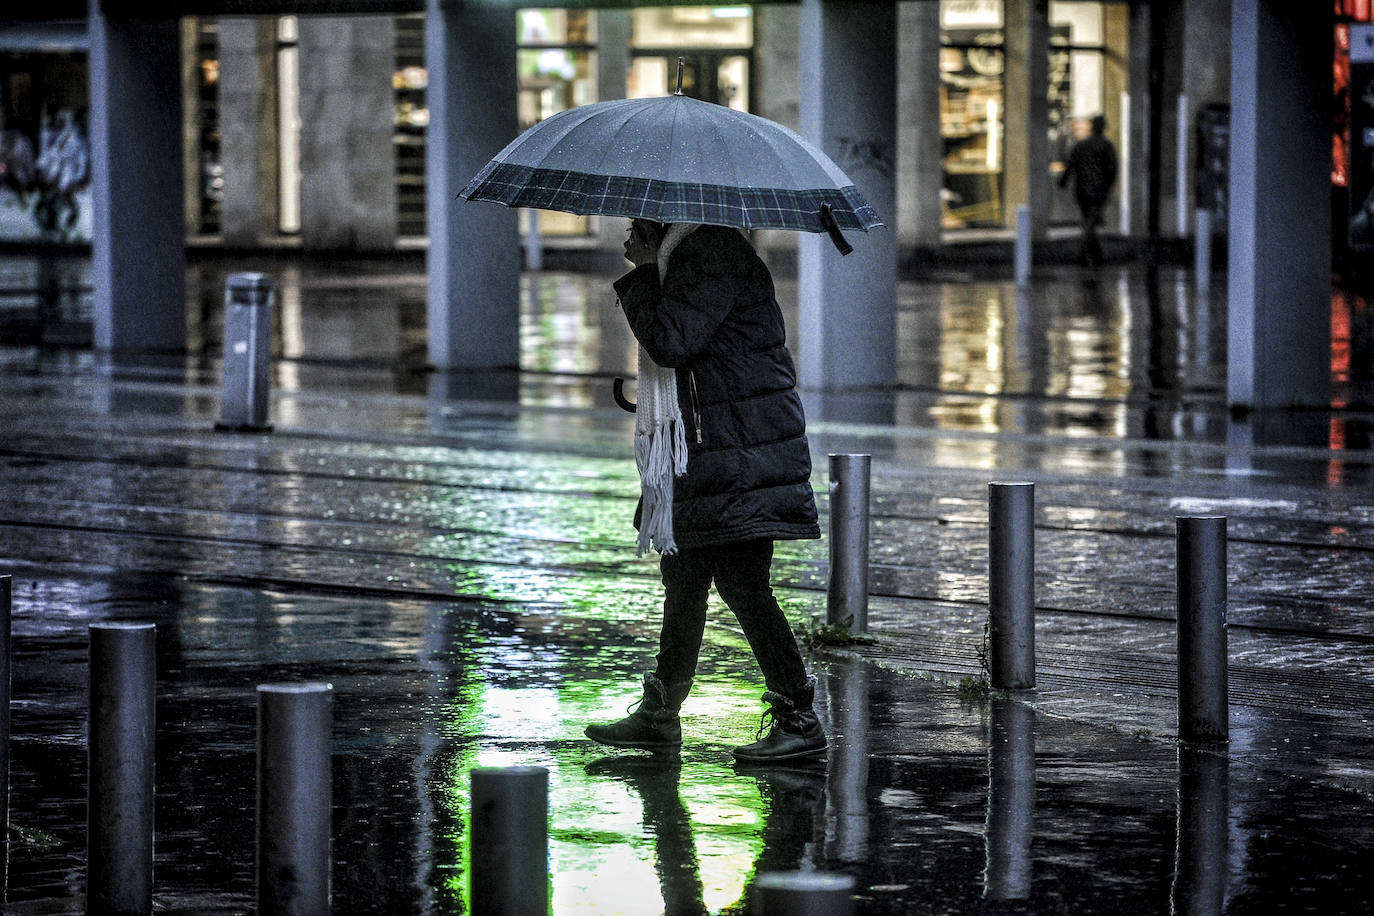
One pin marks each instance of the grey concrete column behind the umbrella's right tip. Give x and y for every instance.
(848, 108)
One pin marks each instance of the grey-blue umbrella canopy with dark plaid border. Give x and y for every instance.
(674, 160)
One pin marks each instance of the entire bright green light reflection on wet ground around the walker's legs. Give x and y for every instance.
(627, 836)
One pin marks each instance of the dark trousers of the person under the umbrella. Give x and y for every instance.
(741, 573)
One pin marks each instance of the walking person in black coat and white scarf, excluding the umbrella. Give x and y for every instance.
(721, 437)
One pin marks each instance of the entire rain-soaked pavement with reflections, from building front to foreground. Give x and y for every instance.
(454, 556)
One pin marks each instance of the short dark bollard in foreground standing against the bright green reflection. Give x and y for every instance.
(509, 873)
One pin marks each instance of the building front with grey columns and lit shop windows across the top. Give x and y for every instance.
(337, 126)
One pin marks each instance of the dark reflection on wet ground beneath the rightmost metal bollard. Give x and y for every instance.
(1203, 837)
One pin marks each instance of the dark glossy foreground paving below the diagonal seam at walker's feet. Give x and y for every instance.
(932, 800)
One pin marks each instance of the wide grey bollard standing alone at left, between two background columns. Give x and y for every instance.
(248, 336)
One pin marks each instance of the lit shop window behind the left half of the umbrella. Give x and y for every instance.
(557, 67)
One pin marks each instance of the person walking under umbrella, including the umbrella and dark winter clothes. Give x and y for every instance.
(721, 436)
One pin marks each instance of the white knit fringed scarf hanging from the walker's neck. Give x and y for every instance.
(660, 433)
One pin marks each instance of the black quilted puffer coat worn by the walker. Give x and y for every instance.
(717, 321)
